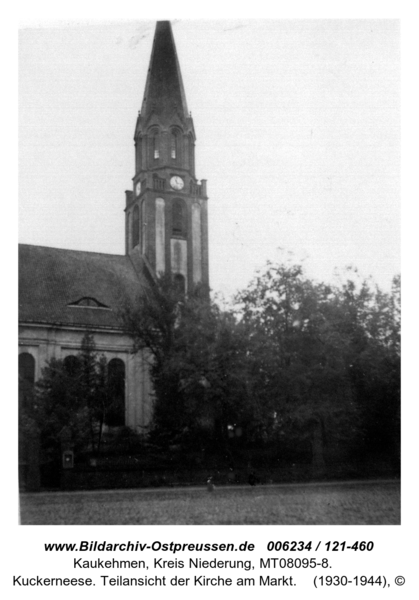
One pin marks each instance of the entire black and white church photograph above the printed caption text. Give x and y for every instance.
(209, 272)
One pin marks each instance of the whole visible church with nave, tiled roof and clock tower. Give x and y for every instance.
(64, 293)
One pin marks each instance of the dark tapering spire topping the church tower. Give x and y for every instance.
(164, 92)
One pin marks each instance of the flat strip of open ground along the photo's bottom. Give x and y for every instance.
(323, 504)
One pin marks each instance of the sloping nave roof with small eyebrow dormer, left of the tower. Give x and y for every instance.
(72, 287)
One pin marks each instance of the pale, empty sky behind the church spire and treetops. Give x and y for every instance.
(297, 125)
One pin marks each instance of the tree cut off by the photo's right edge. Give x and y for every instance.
(375, 364)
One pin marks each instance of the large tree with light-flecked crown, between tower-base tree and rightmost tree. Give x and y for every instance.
(311, 349)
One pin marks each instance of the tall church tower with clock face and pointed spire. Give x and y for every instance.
(166, 213)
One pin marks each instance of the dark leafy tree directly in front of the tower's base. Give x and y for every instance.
(194, 350)
